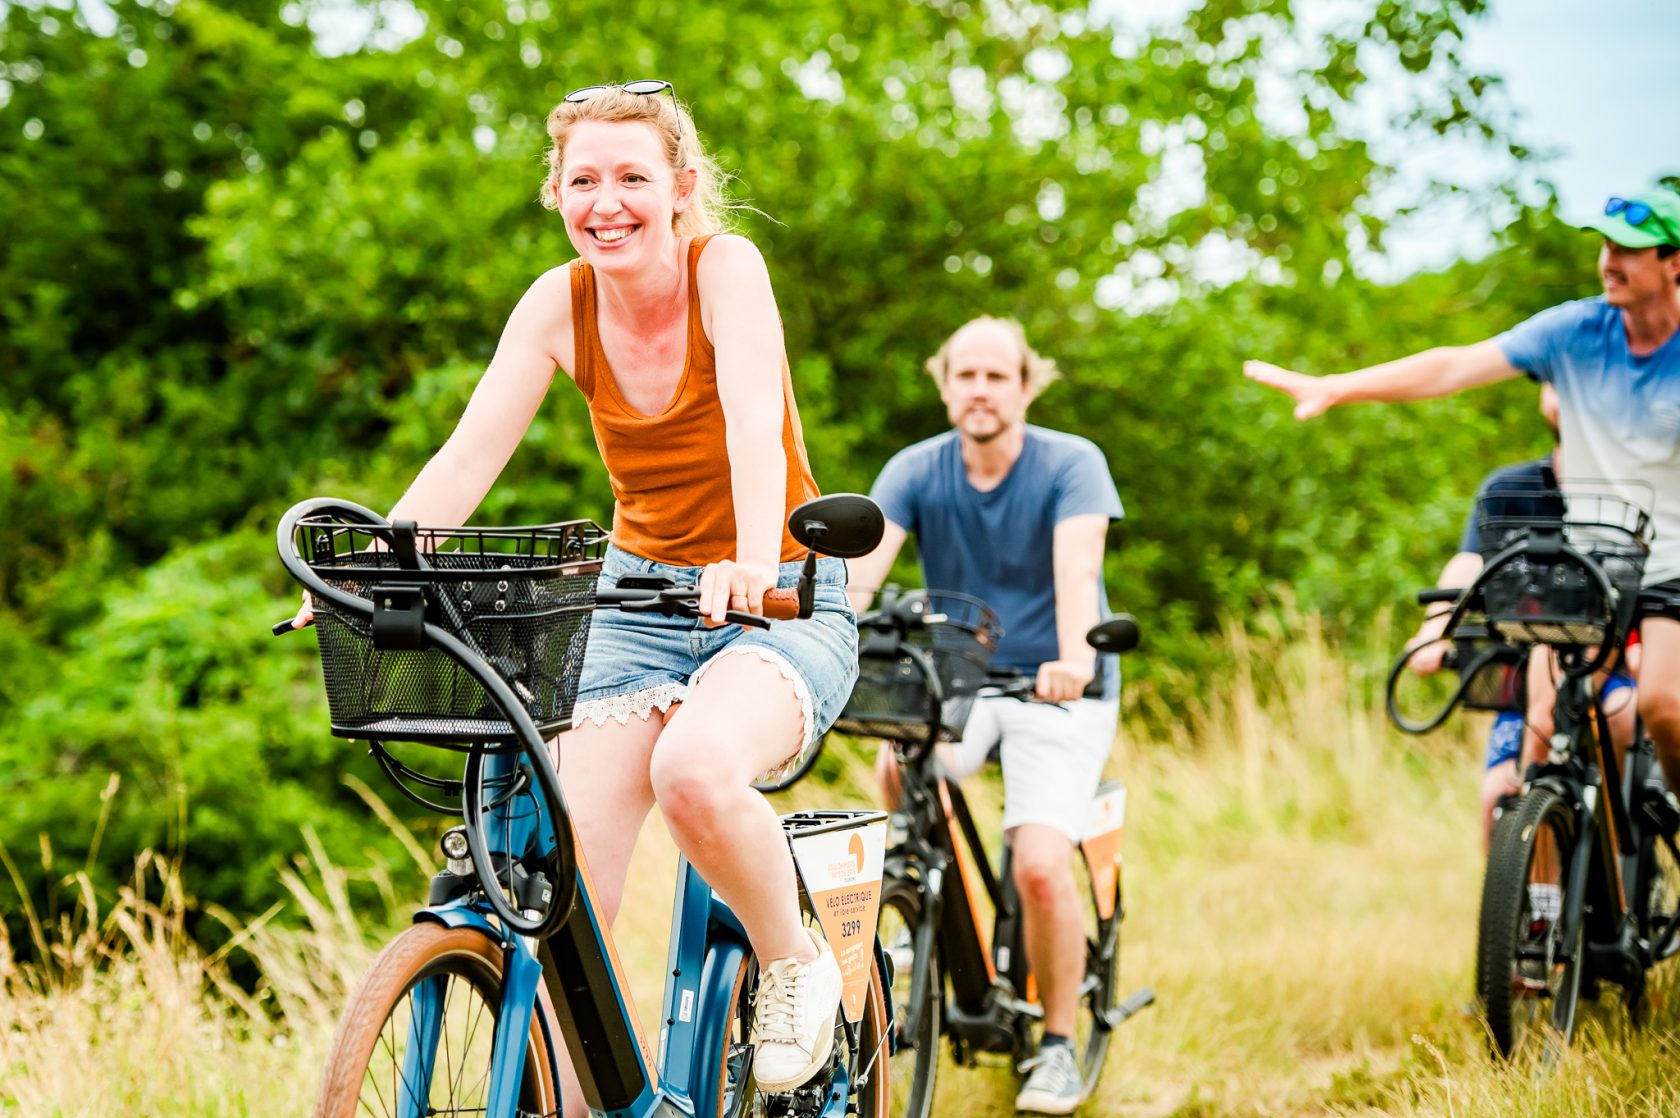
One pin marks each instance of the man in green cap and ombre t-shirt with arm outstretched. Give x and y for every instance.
(1615, 361)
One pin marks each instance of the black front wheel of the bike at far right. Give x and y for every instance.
(1528, 979)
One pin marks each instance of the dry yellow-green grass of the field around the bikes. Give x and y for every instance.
(1303, 887)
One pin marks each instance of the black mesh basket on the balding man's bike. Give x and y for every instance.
(891, 699)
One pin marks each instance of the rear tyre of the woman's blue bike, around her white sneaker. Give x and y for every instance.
(738, 1094)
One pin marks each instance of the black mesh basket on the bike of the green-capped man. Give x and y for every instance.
(1546, 598)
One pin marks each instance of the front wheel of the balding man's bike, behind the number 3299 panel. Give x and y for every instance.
(916, 1055)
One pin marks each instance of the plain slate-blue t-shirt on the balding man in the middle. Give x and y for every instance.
(997, 546)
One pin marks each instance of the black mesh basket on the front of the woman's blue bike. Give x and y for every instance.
(520, 598)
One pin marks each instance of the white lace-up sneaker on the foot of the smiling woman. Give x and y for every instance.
(794, 1020)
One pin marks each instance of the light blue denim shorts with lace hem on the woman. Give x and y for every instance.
(639, 663)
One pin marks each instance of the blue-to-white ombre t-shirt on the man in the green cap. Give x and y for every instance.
(1619, 413)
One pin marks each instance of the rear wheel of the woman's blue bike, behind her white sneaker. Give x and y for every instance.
(738, 1095)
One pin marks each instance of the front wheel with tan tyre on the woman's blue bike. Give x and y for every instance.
(446, 983)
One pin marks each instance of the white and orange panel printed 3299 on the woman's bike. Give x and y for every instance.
(843, 875)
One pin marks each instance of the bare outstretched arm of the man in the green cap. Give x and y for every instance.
(1419, 377)
